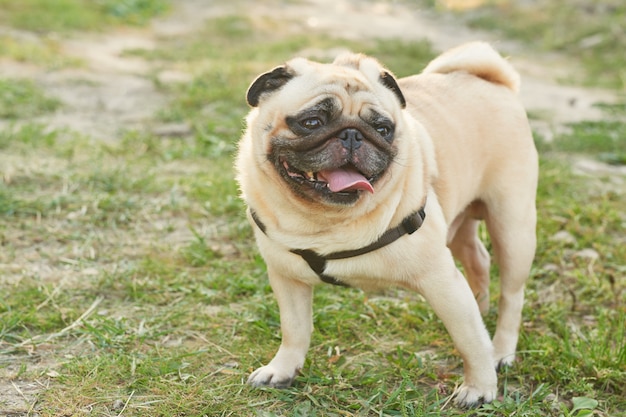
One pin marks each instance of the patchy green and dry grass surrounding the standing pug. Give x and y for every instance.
(130, 284)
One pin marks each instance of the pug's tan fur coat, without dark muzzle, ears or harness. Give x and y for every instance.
(464, 146)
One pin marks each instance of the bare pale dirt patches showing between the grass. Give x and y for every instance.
(114, 91)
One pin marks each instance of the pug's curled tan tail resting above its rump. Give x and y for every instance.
(479, 59)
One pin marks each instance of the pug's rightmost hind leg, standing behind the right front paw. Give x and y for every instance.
(511, 226)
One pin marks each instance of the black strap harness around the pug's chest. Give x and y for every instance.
(318, 262)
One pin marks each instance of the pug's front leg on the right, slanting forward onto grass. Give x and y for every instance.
(451, 298)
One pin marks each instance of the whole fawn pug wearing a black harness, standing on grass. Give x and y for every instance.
(355, 178)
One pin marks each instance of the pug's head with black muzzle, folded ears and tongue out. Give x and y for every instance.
(328, 130)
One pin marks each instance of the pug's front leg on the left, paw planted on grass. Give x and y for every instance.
(295, 302)
